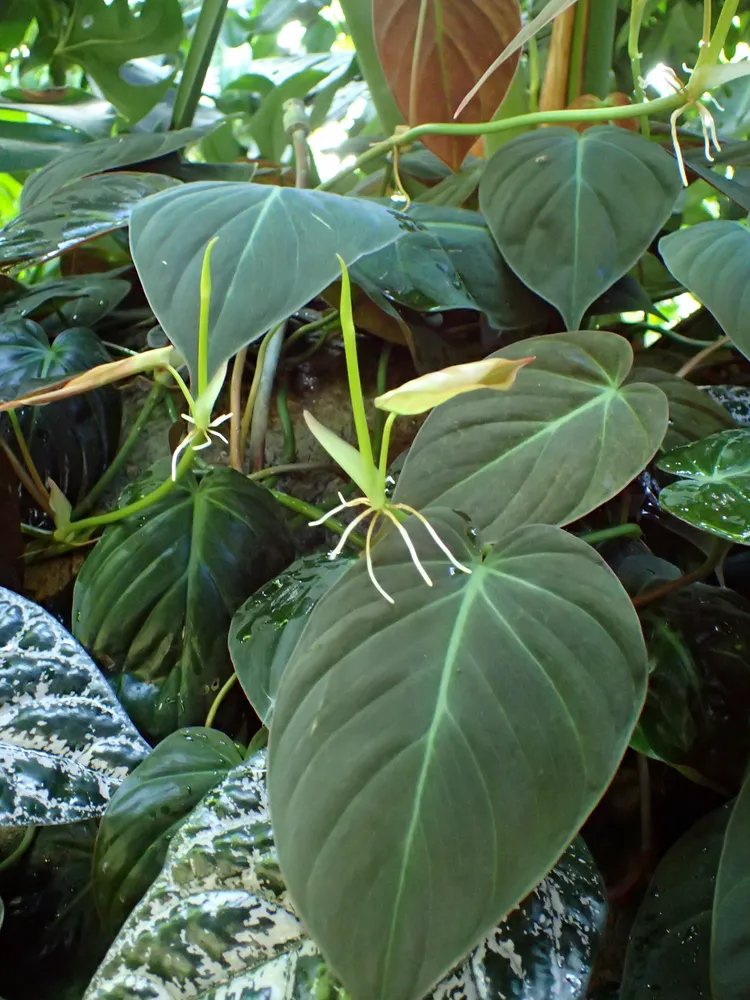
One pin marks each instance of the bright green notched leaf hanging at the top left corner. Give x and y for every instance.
(102, 37)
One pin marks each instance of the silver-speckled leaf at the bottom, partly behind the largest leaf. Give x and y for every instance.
(216, 924)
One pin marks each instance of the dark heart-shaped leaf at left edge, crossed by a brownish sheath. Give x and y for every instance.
(73, 441)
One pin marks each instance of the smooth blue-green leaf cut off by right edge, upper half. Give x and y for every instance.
(712, 260)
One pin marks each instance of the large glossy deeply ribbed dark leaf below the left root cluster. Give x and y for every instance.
(154, 600)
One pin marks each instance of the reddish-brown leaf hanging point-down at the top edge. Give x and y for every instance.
(434, 51)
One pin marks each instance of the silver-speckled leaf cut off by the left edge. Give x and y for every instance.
(65, 742)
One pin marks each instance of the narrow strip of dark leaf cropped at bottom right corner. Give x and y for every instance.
(730, 938)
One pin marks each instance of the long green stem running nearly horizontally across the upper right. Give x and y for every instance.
(591, 115)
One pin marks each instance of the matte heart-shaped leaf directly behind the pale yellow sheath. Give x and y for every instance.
(565, 439)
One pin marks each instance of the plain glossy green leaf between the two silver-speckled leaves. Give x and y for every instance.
(147, 810)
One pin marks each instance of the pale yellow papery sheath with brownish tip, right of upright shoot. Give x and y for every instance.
(428, 391)
